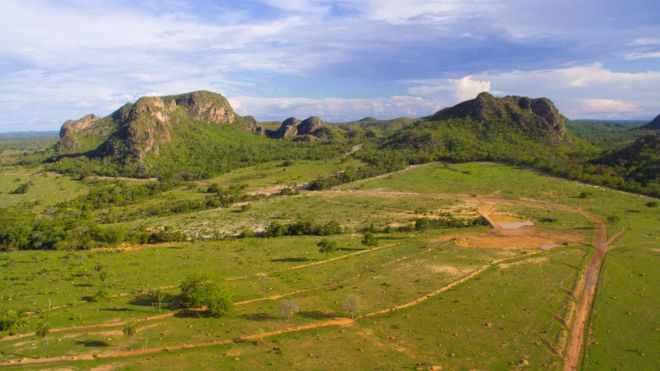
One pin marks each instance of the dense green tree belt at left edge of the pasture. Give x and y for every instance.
(72, 224)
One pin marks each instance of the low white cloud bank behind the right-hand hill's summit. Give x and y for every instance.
(580, 92)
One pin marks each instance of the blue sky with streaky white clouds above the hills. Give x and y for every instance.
(341, 60)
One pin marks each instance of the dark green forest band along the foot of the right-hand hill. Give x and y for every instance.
(634, 169)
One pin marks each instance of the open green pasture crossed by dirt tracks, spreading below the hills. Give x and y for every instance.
(422, 297)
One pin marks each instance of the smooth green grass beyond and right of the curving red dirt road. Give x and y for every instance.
(627, 274)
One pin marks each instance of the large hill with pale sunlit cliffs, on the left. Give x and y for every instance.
(195, 135)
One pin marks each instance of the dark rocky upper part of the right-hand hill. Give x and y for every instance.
(536, 117)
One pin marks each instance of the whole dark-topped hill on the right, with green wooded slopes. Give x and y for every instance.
(515, 129)
